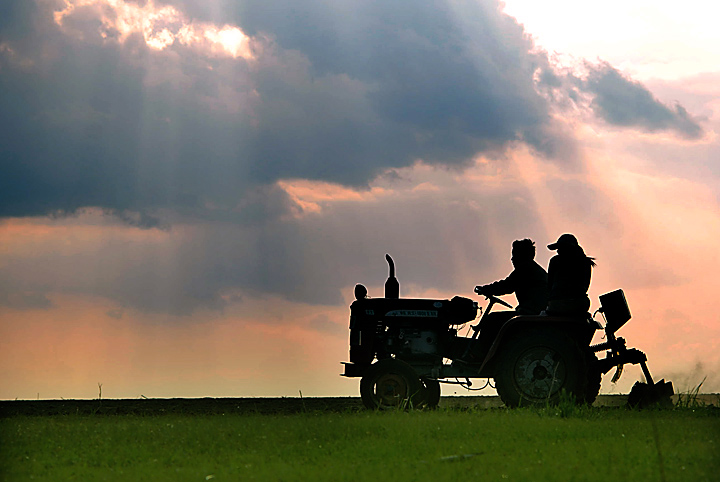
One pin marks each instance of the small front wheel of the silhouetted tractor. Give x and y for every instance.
(390, 383)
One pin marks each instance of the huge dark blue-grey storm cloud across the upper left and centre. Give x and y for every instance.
(336, 93)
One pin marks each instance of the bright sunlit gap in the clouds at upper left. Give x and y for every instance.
(160, 26)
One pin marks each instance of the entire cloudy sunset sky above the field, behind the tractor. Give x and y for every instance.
(190, 189)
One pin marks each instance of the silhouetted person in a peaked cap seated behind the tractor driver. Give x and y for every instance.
(569, 275)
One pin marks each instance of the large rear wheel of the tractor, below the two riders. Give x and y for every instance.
(537, 367)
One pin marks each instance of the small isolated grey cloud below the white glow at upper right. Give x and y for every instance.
(623, 102)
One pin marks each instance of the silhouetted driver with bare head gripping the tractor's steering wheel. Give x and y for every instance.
(528, 281)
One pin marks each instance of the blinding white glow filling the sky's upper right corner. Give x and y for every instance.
(650, 39)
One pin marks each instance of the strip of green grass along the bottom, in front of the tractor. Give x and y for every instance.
(552, 444)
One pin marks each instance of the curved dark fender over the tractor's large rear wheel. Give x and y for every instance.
(568, 324)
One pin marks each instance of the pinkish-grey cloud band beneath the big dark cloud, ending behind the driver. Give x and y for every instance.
(310, 257)
